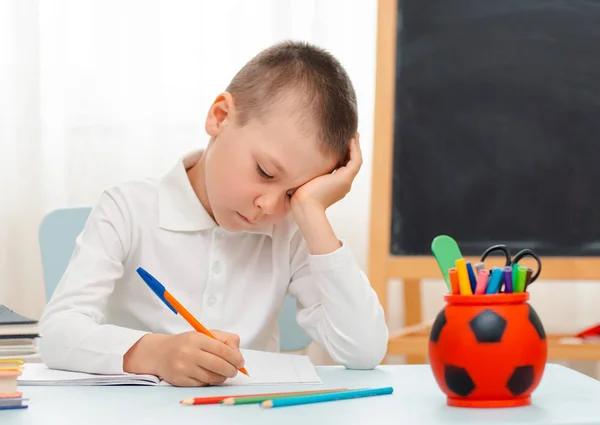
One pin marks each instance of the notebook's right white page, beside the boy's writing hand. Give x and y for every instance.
(267, 368)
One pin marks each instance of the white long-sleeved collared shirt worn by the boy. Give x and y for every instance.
(234, 282)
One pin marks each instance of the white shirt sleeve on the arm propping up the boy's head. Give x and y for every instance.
(337, 306)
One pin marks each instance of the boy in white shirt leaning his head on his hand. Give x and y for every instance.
(229, 231)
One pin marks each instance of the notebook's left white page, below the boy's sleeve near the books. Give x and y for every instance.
(40, 374)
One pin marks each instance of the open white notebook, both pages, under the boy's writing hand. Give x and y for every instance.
(264, 368)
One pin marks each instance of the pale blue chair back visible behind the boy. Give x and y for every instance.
(58, 232)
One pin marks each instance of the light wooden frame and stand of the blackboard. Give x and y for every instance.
(412, 341)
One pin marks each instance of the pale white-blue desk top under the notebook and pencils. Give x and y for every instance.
(563, 397)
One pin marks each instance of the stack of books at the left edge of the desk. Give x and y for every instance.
(18, 342)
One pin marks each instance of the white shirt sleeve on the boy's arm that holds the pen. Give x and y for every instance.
(74, 335)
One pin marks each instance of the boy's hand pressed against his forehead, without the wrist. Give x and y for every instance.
(324, 191)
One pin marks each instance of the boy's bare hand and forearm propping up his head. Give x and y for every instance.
(310, 201)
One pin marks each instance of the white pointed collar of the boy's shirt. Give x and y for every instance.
(179, 208)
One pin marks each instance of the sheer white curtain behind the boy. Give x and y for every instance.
(94, 92)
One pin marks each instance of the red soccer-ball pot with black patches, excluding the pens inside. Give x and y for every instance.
(488, 350)
